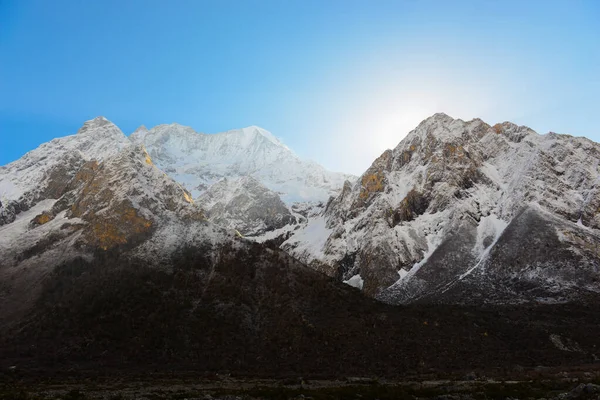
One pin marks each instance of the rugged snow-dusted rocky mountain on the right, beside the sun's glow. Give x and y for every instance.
(466, 212)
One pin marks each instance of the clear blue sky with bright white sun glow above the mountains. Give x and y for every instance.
(337, 81)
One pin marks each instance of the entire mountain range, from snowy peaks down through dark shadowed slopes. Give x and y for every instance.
(174, 249)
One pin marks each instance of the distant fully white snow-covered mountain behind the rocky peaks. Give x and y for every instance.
(199, 160)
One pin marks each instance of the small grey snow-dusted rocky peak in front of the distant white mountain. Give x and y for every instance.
(245, 205)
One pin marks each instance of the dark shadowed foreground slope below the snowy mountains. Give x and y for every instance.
(248, 310)
